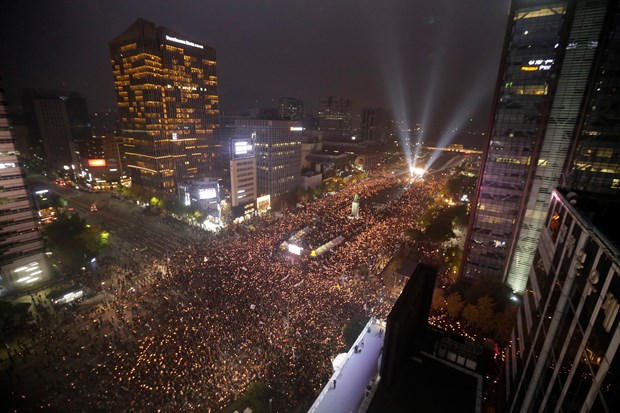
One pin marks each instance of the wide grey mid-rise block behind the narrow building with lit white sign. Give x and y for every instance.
(277, 147)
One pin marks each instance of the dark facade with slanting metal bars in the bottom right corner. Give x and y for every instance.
(563, 350)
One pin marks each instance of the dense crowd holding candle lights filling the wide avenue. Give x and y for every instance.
(218, 315)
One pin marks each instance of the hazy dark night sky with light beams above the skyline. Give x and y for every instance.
(431, 61)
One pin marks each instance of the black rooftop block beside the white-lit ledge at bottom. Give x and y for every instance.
(419, 363)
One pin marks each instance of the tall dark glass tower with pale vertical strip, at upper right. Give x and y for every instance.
(557, 61)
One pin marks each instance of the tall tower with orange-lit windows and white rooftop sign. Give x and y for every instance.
(166, 88)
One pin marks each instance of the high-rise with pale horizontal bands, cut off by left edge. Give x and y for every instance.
(22, 257)
